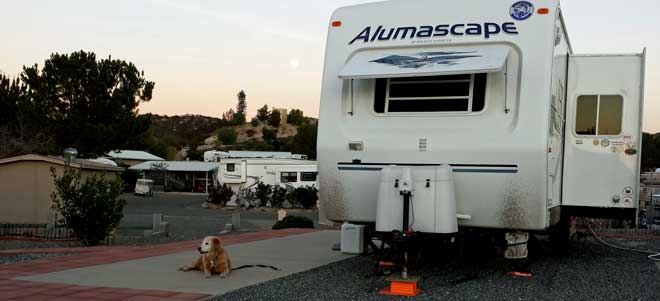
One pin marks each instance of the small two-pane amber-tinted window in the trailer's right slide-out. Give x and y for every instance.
(599, 115)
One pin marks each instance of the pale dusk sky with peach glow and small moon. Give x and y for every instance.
(201, 53)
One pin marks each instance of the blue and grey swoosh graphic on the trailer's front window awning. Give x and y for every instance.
(426, 58)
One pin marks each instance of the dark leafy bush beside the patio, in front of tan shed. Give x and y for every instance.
(91, 208)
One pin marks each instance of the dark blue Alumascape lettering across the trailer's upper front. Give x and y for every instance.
(410, 32)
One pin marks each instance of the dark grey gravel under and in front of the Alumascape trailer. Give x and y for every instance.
(590, 271)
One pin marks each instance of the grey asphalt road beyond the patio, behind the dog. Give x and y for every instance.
(186, 218)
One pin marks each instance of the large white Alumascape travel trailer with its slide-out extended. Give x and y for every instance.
(532, 133)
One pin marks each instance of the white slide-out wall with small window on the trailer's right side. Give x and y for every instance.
(603, 131)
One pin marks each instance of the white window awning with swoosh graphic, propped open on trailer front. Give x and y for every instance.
(408, 63)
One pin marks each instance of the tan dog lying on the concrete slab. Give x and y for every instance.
(214, 259)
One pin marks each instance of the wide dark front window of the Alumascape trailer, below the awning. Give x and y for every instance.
(454, 93)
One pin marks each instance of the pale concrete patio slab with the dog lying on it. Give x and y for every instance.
(291, 254)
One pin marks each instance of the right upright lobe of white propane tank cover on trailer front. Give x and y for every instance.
(445, 206)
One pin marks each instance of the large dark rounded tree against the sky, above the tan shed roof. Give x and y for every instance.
(90, 104)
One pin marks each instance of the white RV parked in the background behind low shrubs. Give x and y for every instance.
(242, 173)
